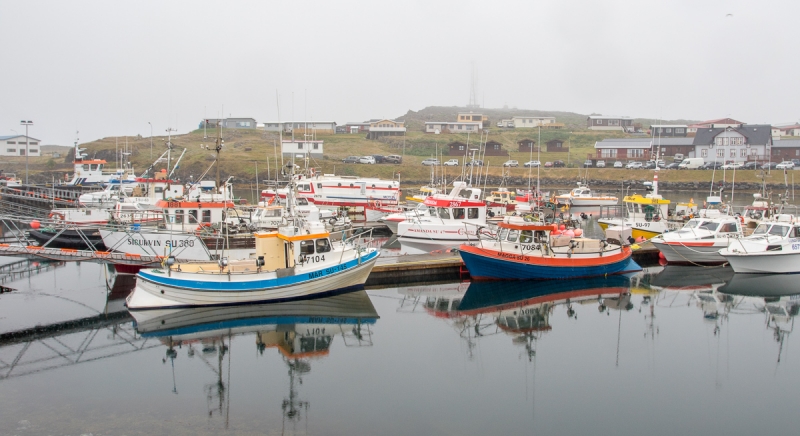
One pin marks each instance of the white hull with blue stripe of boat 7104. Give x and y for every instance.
(157, 290)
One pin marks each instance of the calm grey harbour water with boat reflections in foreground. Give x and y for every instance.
(663, 352)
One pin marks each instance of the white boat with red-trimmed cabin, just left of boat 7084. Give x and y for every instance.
(447, 217)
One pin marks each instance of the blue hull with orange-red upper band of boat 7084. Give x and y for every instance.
(484, 264)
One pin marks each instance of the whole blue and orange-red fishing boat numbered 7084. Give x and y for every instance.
(522, 250)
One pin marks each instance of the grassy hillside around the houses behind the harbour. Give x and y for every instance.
(246, 151)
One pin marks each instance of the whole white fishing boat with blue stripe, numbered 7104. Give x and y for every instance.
(298, 261)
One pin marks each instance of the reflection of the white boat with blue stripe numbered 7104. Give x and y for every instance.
(299, 330)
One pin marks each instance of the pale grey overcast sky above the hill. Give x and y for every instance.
(107, 68)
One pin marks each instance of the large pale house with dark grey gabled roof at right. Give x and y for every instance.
(734, 144)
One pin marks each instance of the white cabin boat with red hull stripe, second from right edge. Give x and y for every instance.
(700, 239)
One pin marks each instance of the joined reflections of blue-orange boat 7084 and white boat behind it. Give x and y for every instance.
(520, 309)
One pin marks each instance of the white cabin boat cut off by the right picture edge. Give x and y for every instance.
(772, 248)
